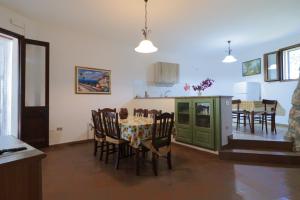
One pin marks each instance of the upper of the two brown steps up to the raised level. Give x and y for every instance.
(260, 145)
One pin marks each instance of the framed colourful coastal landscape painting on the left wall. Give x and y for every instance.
(92, 80)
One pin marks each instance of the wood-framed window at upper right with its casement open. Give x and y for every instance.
(282, 65)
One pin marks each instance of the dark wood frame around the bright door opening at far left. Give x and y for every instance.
(21, 63)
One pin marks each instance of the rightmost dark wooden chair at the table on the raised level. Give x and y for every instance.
(269, 114)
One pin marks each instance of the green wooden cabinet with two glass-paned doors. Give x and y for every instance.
(198, 120)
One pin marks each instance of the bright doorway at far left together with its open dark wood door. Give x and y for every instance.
(24, 88)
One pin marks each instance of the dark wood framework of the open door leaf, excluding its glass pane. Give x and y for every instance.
(37, 111)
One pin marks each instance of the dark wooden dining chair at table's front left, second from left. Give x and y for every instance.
(113, 136)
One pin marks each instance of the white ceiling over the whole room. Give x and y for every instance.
(198, 25)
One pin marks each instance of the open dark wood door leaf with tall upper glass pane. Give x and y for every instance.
(35, 94)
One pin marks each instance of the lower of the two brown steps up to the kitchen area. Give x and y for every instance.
(259, 156)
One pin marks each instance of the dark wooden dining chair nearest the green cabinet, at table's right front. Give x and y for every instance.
(160, 144)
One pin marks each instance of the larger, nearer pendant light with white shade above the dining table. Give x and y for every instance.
(146, 46)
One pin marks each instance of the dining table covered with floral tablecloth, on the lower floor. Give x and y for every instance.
(135, 130)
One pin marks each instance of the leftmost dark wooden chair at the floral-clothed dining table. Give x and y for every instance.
(99, 136)
